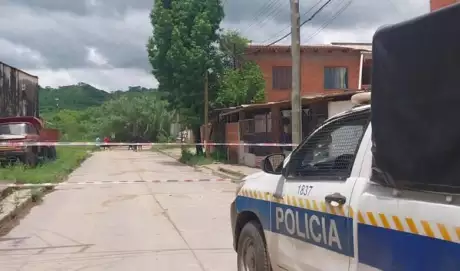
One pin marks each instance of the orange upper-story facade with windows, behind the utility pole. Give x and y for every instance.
(324, 68)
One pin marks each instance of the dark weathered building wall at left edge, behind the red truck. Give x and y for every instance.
(18, 92)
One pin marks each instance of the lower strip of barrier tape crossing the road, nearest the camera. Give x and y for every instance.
(27, 185)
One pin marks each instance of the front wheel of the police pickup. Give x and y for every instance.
(252, 250)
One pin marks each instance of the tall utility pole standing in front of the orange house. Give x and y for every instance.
(296, 106)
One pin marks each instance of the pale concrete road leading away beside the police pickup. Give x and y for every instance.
(168, 226)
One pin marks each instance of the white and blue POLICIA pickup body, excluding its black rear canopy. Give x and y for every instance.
(318, 209)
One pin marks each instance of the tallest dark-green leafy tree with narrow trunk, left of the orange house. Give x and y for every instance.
(181, 50)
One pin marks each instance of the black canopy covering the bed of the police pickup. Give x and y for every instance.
(416, 102)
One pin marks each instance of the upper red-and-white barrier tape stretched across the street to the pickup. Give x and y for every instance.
(26, 144)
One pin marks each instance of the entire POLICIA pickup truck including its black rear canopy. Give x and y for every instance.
(356, 197)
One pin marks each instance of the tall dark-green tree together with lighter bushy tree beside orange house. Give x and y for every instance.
(188, 45)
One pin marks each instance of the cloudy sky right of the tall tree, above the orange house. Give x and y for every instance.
(263, 14)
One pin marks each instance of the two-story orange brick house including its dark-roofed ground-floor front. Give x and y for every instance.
(330, 74)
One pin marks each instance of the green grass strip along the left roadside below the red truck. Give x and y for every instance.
(69, 158)
